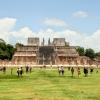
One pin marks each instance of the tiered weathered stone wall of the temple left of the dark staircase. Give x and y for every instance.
(25, 55)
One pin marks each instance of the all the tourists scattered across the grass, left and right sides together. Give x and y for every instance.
(61, 71)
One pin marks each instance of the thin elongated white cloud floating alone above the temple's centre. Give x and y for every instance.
(54, 22)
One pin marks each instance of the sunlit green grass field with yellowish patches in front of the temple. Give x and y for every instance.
(46, 84)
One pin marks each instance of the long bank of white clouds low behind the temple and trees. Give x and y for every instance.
(73, 37)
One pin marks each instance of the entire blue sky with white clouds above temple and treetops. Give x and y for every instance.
(76, 20)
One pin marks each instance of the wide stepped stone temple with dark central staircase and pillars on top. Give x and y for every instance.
(55, 53)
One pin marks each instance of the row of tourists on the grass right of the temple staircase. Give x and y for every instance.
(85, 70)
